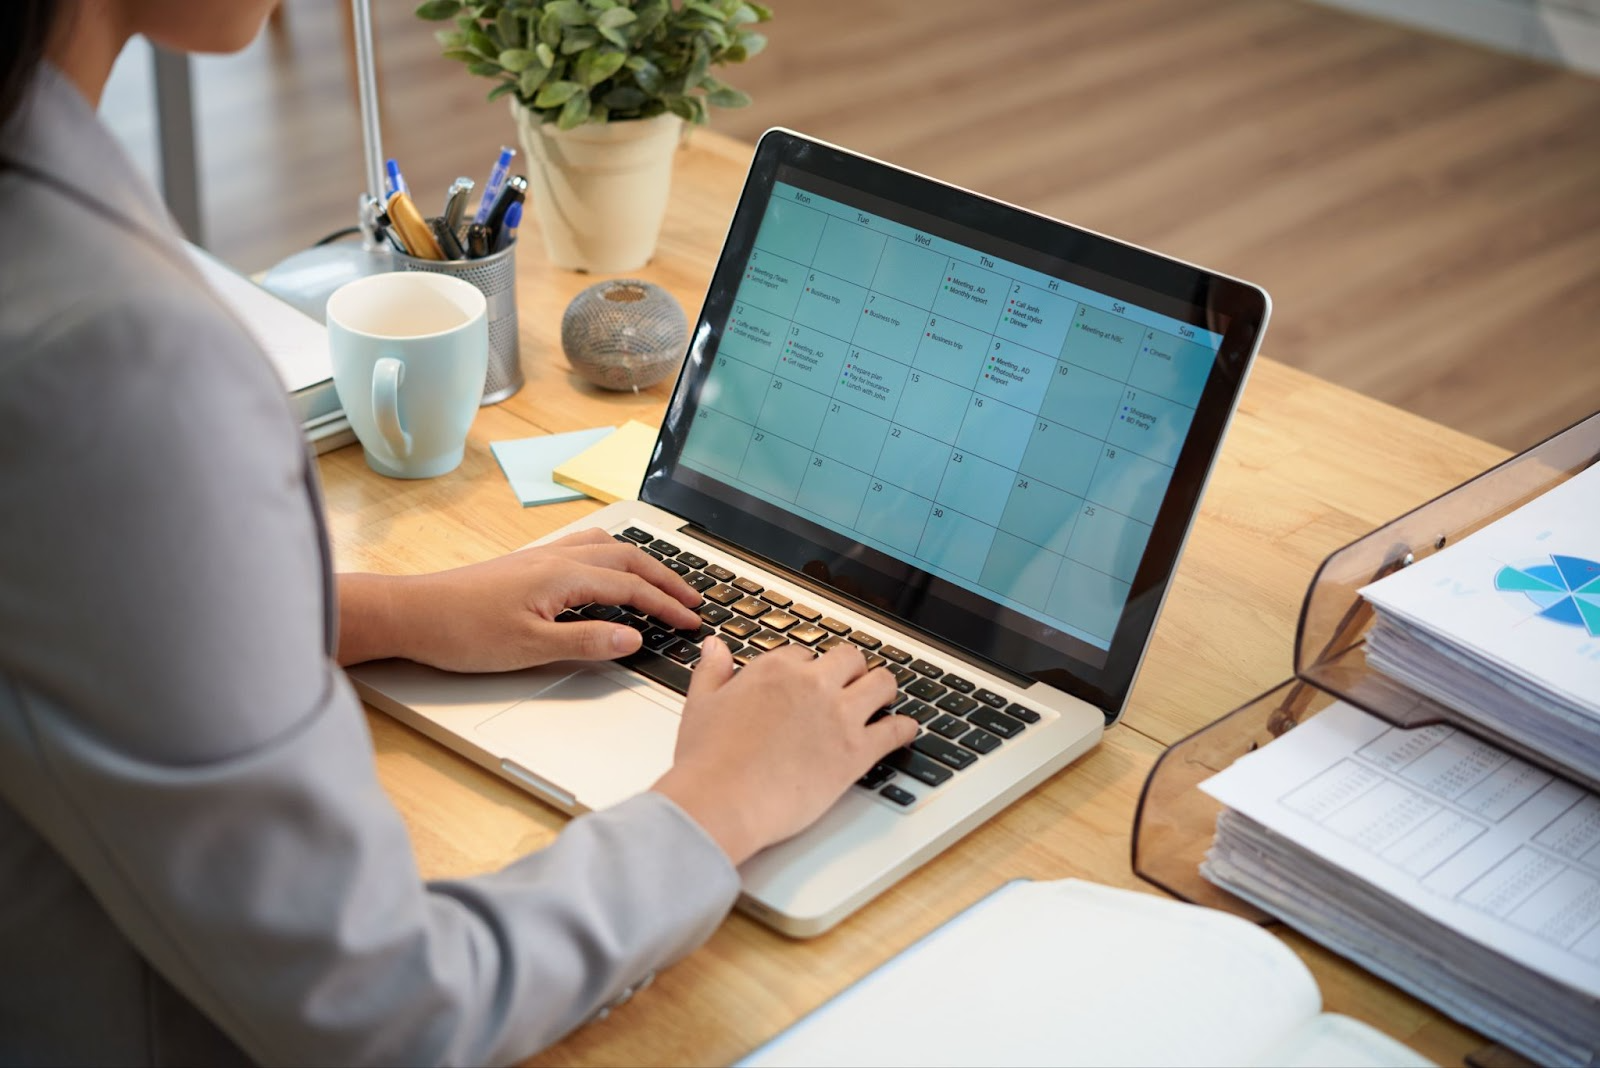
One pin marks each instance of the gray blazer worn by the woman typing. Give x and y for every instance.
(198, 864)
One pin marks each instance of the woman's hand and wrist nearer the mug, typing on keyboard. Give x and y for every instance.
(500, 615)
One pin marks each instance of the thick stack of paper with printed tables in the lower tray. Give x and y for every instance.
(1458, 874)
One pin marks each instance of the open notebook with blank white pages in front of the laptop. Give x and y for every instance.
(1073, 973)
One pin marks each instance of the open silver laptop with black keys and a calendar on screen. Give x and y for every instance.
(964, 437)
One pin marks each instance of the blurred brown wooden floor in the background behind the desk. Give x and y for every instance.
(1425, 213)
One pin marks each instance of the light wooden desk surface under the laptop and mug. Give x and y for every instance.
(1306, 469)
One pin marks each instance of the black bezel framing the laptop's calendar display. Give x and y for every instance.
(900, 592)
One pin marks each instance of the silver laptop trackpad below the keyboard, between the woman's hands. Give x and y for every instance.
(596, 735)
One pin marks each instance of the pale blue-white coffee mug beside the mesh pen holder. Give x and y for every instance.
(410, 353)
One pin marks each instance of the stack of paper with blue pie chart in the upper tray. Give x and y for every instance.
(1505, 626)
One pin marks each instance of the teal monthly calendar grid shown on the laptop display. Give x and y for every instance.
(994, 432)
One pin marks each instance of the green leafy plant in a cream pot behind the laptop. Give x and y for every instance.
(601, 92)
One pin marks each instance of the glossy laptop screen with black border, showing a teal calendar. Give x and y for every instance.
(970, 432)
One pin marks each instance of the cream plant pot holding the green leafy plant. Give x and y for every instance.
(599, 191)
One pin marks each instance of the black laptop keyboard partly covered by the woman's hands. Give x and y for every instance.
(959, 722)
